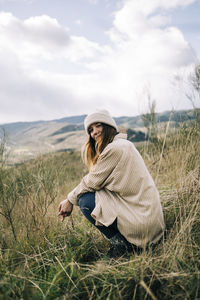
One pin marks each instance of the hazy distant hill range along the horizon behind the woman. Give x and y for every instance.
(27, 139)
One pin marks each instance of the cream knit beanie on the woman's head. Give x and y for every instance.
(101, 116)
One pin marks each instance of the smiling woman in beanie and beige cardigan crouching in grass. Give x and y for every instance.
(118, 195)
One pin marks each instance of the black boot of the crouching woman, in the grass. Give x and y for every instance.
(119, 246)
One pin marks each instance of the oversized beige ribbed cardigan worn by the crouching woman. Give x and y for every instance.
(124, 190)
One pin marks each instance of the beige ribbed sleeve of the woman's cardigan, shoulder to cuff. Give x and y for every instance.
(97, 178)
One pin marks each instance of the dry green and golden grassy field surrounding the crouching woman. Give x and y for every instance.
(43, 258)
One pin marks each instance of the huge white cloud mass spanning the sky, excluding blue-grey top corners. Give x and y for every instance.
(48, 73)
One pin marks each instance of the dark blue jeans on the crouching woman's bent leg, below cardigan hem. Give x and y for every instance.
(87, 204)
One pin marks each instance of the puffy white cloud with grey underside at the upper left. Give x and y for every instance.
(33, 39)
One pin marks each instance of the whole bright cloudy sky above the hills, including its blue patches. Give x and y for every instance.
(62, 58)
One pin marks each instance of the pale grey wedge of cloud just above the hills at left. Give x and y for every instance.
(24, 94)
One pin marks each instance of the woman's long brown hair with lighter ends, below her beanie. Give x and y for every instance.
(92, 150)
